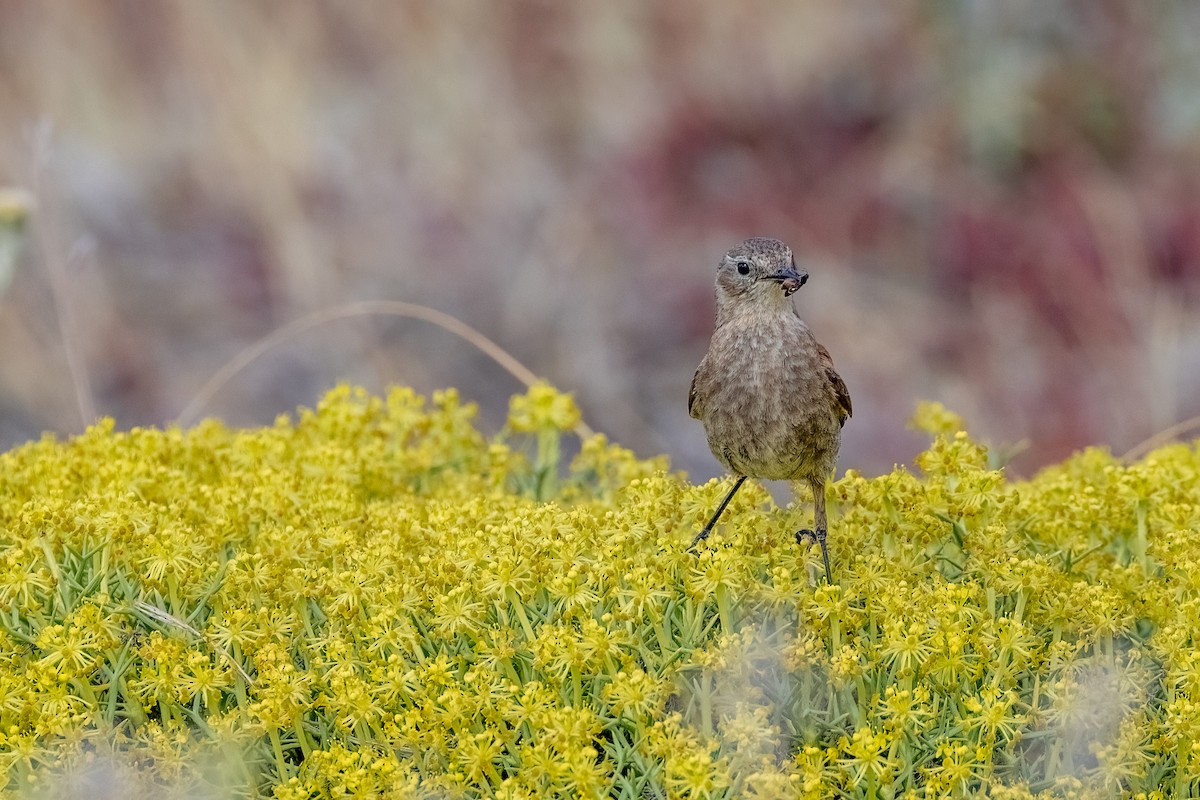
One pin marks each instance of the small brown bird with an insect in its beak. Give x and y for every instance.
(771, 401)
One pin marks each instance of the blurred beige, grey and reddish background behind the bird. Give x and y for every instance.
(999, 204)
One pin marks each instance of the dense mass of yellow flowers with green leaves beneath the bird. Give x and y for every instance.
(374, 600)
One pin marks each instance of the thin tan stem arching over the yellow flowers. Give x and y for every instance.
(361, 309)
